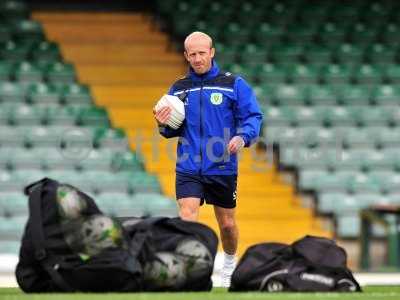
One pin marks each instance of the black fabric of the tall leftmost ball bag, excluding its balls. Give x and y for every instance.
(48, 263)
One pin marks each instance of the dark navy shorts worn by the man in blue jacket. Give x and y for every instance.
(219, 190)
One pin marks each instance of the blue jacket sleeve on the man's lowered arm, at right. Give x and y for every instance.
(248, 115)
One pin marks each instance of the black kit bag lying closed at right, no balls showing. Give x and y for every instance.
(311, 264)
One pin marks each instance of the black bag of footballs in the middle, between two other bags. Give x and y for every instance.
(176, 255)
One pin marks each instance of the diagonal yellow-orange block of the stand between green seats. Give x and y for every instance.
(128, 66)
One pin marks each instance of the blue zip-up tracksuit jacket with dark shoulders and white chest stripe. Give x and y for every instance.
(218, 106)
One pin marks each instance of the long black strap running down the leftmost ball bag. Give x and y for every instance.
(38, 240)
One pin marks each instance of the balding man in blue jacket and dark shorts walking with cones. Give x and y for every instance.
(222, 117)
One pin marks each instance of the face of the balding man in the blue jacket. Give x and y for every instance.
(199, 54)
